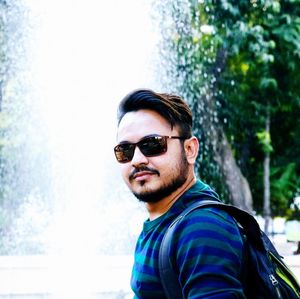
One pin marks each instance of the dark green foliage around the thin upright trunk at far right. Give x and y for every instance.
(264, 64)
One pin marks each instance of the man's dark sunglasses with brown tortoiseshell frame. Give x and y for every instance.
(150, 146)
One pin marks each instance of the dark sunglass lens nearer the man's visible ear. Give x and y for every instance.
(153, 146)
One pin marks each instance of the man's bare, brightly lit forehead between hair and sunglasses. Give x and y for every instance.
(137, 124)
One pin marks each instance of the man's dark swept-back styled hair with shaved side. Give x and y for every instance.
(171, 107)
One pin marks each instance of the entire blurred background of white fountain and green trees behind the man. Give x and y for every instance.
(68, 224)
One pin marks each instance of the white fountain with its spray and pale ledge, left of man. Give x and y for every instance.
(69, 234)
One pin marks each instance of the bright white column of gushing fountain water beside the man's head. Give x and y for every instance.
(87, 56)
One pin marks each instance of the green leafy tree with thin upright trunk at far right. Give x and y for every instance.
(269, 48)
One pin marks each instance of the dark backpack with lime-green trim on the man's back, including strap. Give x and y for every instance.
(266, 276)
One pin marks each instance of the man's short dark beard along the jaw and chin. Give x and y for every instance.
(153, 196)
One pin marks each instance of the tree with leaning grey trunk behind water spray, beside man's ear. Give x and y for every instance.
(191, 51)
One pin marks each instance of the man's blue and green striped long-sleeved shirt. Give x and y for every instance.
(206, 251)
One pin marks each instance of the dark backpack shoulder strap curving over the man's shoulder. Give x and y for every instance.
(169, 278)
